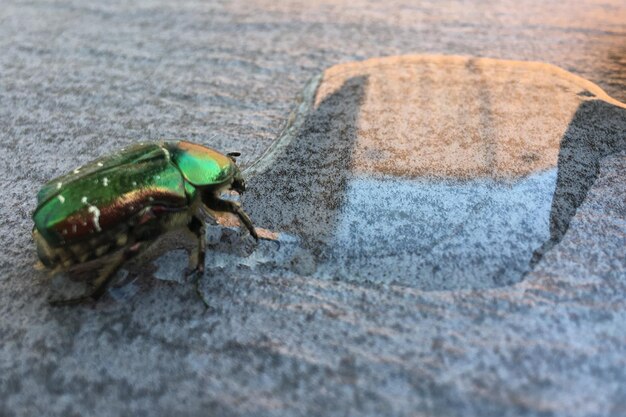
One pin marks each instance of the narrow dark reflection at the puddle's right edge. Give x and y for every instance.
(597, 130)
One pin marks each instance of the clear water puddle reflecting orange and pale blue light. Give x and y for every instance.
(437, 173)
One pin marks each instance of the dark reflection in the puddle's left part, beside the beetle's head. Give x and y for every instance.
(303, 190)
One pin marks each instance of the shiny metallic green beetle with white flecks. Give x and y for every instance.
(114, 207)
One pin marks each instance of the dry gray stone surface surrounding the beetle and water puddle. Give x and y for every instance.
(78, 79)
